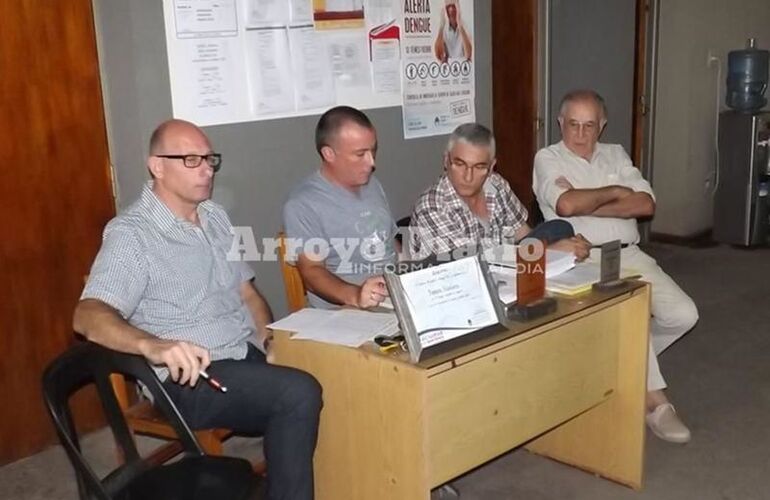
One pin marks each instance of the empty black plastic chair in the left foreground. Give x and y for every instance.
(195, 476)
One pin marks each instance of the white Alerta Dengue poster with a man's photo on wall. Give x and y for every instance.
(438, 75)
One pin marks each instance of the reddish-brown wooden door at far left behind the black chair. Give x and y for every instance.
(56, 196)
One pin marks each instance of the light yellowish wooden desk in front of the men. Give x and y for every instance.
(570, 386)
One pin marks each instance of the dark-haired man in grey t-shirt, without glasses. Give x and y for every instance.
(338, 221)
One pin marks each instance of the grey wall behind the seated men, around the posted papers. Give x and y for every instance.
(262, 160)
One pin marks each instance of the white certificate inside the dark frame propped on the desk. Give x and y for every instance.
(448, 301)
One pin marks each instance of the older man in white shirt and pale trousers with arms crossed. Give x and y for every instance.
(598, 190)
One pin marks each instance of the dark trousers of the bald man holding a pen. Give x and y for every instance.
(282, 404)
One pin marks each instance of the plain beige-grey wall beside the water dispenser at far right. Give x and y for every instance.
(685, 127)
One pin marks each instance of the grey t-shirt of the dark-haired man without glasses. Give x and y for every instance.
(354, 230)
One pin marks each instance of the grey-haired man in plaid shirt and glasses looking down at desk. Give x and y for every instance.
(472, 206)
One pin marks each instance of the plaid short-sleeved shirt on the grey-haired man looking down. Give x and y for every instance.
(442, 222)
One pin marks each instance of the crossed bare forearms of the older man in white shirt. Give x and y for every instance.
(610, 201)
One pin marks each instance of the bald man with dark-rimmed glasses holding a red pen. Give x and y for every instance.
(162, 287)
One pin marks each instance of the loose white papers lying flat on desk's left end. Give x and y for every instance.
(348, 327)
